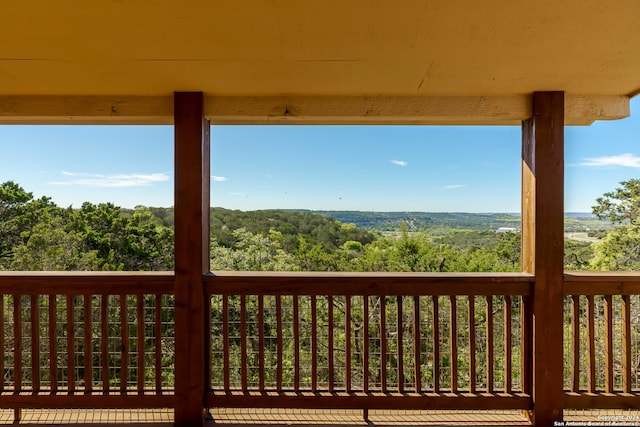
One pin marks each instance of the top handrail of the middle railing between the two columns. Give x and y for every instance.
(406, 284)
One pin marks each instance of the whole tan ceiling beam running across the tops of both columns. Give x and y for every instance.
(325, 110)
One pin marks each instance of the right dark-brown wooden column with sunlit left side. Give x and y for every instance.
(543, 249)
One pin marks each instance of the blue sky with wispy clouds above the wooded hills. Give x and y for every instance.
(374, 168)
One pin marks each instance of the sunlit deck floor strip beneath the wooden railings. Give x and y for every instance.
(273, 417)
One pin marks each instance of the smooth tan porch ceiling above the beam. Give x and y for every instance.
(328, 47)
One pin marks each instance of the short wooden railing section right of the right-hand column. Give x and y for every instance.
(602, 340)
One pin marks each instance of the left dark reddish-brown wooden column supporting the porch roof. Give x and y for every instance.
(192, 165)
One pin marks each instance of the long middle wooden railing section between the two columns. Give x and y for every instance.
(370, 341)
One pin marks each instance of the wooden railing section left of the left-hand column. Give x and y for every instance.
(86, 340)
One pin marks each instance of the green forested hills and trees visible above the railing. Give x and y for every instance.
(36, 234)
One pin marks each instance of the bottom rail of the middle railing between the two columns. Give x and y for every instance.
(406, 401)
